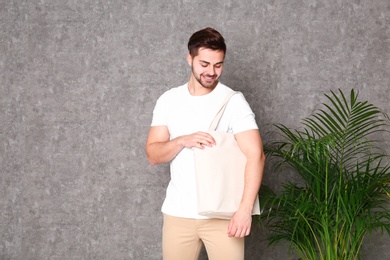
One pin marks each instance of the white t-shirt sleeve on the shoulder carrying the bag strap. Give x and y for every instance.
(242, 118)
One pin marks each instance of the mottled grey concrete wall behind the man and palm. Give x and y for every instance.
(78, 84)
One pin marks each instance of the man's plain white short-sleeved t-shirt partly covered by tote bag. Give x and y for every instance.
(185, 114)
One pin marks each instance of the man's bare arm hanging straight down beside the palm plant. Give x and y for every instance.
(251, 145)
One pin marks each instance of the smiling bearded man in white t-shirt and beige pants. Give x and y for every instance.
(180, 122)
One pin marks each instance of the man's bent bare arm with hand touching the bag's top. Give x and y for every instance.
(160, 149)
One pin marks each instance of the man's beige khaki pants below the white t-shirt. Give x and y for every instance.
(183, 238)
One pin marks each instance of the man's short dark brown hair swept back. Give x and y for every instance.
(207, 38)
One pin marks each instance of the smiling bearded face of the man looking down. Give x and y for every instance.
(207, 66)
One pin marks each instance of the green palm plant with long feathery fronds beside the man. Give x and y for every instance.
(344, 192)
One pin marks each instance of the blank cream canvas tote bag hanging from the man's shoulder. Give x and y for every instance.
(219, 172)
